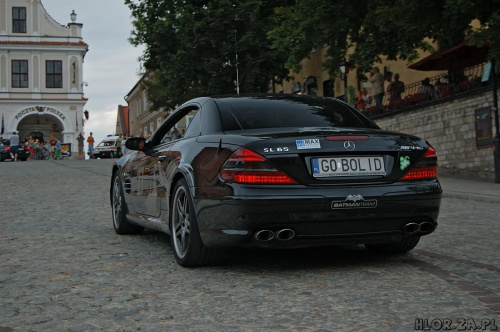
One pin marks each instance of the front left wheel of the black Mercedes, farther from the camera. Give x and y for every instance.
(119, 209)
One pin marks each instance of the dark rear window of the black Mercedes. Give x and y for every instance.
(261, 112)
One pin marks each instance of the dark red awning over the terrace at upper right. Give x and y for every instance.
(456, 57)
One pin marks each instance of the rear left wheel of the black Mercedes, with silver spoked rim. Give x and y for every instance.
(187, 244)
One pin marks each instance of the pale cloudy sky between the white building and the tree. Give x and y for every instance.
(111, 66)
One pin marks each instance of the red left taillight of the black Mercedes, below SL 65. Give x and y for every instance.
(246, 166)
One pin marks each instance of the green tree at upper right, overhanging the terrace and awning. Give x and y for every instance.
(368, 29)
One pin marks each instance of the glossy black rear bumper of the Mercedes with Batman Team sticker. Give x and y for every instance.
(322, 219)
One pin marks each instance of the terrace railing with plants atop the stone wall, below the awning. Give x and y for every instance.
(438, 88)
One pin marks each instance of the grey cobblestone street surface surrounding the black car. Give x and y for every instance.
(63, 268)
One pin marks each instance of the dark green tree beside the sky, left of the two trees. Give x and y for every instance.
(191, 47)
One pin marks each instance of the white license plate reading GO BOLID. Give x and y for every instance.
(348, 166)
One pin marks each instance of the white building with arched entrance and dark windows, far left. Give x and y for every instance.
(41, 83)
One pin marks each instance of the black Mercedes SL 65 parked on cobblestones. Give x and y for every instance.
(276, 171)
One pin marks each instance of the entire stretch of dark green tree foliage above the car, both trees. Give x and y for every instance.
(191, 45)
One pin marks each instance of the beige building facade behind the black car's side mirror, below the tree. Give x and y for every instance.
(142, 122)
